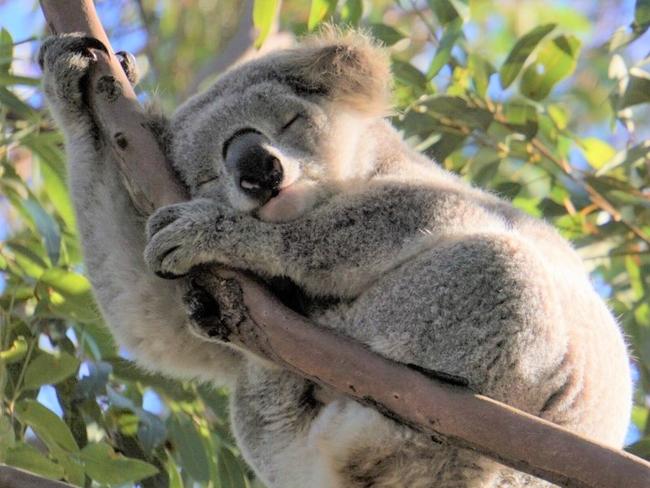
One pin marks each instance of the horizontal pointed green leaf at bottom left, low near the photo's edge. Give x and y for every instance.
(107, 467)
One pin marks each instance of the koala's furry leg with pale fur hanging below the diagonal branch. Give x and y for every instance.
(295, 441)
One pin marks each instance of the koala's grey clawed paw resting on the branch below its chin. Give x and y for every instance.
(178, 236)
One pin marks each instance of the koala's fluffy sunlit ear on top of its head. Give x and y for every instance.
(347, 67)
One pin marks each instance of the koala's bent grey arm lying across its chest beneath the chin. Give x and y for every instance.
(338, 248)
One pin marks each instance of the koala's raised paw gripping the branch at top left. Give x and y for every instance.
(65, 60)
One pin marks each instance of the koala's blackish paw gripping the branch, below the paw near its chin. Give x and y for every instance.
(214, 305)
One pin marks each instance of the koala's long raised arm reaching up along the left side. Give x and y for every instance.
(144, 312)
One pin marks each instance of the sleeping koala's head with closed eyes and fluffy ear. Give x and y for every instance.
(275, 136)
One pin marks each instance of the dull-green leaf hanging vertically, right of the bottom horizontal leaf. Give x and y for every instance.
(189, 445)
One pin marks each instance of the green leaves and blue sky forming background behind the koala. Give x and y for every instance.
(545, 103)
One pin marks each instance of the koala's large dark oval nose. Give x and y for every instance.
(257, 171)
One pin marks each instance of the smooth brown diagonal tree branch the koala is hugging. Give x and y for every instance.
(449, 413)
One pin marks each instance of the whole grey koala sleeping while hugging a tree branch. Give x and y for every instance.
(296, 176)
